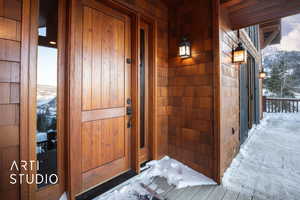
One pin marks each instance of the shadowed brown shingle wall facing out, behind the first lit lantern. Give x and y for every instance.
(190, 87)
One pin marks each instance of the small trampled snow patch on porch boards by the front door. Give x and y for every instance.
(175, 172)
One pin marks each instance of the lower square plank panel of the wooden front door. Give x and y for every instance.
(102, 142)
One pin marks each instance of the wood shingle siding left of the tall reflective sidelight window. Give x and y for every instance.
(10, 52)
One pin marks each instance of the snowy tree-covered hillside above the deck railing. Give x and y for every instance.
(283, 73)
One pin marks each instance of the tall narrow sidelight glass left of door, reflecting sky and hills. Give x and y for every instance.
(47, 89)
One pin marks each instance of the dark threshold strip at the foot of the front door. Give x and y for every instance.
(101, 189)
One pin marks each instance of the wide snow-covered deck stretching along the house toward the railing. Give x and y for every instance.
(268, 165)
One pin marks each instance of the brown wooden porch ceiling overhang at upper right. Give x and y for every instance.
(243, 13)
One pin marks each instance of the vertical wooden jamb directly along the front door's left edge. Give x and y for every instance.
(75, 64)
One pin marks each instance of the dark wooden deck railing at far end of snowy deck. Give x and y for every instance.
(281, 105)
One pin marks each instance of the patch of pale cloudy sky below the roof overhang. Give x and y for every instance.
(290, 34)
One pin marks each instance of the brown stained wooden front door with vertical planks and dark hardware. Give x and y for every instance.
(104, 92)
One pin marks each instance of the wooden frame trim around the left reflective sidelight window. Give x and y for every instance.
(28, 98)
